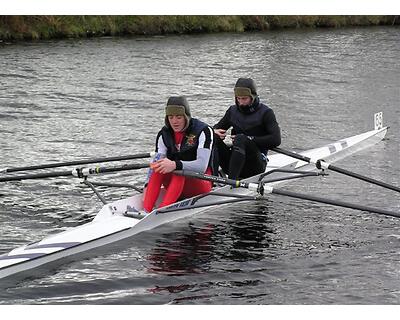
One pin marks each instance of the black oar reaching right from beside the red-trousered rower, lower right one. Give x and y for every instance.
(262, 188)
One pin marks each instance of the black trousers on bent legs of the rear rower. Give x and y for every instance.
(242, 160)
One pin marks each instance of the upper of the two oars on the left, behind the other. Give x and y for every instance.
(78, 162)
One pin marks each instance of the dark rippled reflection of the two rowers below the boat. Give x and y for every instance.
(204, 248)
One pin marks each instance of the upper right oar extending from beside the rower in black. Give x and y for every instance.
(322, 164)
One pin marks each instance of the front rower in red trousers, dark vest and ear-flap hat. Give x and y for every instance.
(183, 143)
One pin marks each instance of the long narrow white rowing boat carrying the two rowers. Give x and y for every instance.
(114, 222)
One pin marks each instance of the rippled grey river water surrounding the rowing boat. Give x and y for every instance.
(70, 99)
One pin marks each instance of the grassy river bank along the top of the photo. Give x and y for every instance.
(48, 27)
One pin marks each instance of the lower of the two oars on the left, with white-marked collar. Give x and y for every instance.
(79, 172)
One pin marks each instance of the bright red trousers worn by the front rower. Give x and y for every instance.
(176, 187)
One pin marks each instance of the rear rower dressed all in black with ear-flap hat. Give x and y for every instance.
(254, 131)
